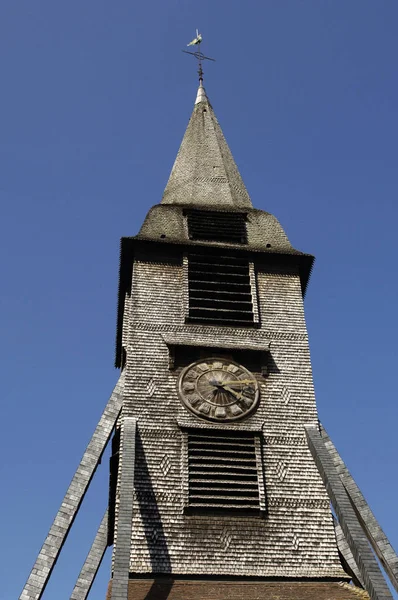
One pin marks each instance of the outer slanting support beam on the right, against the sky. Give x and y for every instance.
(376, 536)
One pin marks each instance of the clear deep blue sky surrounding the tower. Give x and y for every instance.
(95, 98)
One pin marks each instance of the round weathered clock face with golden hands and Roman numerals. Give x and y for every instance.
(218, 389)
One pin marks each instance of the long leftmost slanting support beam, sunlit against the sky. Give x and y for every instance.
(63, 521)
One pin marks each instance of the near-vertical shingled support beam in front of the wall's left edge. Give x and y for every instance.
(121, 567)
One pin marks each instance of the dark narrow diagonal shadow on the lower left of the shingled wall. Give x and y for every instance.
(153, 527)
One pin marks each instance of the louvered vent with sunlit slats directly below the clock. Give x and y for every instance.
(222, 471)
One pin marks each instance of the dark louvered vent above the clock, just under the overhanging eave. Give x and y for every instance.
(219, 289)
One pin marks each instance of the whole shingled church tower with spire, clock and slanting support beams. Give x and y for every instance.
(221, 476)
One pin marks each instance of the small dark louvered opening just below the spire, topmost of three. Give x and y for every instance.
(217, 226)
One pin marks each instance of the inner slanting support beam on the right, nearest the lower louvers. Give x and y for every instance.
(373, 578)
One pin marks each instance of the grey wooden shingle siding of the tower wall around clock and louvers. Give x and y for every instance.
(296, 538)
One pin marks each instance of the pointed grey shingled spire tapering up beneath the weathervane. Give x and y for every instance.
(204, 172)
